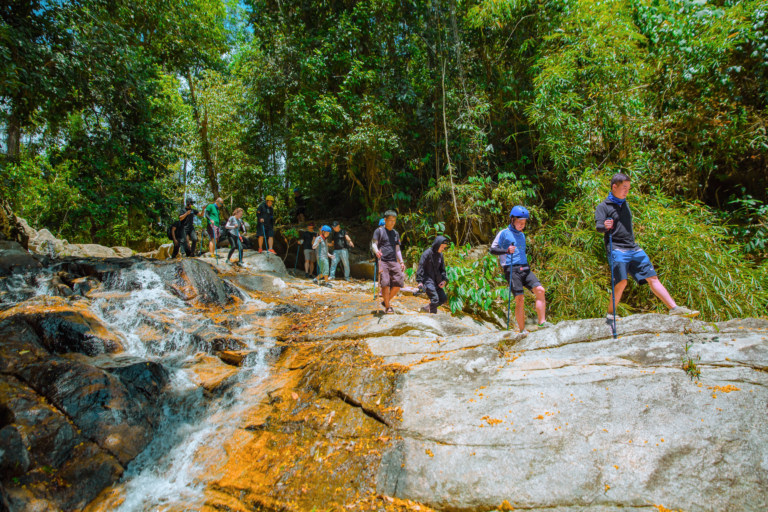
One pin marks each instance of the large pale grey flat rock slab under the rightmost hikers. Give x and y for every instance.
(572, 418)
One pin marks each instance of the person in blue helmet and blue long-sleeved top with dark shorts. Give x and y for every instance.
(509, 245)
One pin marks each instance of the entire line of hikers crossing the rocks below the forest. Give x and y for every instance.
(613, 218)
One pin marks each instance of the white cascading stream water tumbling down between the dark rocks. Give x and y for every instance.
(170, 471)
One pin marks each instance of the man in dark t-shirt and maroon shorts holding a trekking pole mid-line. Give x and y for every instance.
(386, 245)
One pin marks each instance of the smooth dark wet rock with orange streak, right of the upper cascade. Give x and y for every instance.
(192, 279)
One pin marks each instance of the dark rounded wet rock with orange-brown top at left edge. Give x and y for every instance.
(64, 327)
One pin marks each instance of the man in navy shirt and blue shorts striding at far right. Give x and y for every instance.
(614, 217)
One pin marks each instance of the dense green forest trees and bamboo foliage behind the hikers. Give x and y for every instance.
(448, 111)
